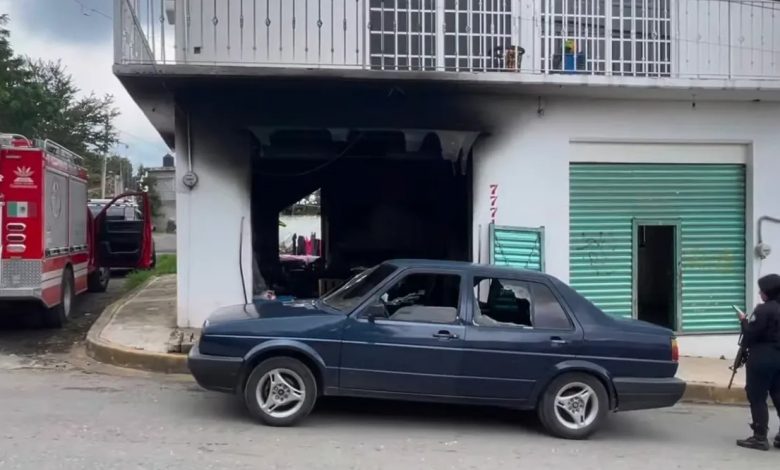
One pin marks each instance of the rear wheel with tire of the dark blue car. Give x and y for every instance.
(573, 406)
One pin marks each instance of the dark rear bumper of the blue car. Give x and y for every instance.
(645, 394)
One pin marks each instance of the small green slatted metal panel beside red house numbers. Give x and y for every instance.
(517, 247)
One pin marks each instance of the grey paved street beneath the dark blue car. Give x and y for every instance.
(71, 419)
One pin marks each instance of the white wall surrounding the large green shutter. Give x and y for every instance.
(529, 161)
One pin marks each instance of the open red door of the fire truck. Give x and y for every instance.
(124, 242)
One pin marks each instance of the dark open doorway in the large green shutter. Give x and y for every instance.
(656, 279)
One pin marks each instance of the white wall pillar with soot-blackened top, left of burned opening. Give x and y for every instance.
(209, 219)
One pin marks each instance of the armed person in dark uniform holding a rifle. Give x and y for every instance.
(761, 337)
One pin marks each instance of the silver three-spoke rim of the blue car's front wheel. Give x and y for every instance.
(281, 393)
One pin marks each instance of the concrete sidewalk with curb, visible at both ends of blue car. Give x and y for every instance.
(139, 331)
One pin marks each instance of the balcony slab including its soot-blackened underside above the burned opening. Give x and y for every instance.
(433, 99)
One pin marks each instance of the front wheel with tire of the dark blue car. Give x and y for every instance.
(280, 391)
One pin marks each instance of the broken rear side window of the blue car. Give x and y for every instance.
(513, 303)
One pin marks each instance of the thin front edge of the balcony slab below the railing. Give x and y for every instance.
(590, 86)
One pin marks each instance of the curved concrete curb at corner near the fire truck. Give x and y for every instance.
(115, 354)
